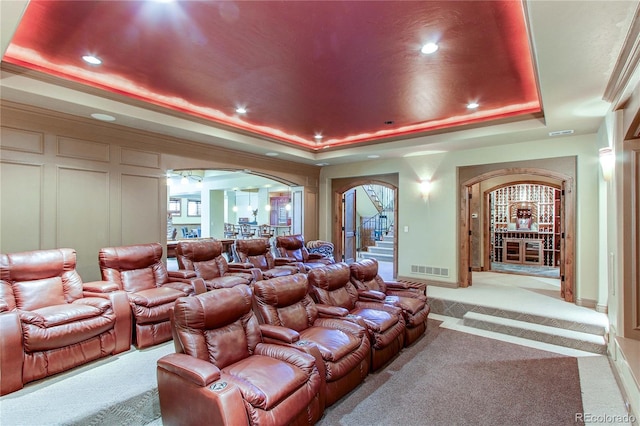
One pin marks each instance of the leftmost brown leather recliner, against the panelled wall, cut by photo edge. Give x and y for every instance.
(50, 321)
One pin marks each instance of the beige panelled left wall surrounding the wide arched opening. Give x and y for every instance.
(67, 181)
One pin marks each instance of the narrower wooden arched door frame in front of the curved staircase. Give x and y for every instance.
(339, 187)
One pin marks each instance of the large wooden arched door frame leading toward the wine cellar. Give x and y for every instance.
(567, 224)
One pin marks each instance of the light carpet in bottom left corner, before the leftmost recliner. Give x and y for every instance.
(118, 390)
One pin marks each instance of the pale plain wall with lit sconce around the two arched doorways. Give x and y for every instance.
(432, 237)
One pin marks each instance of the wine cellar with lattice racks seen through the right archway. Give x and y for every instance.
(519, 229)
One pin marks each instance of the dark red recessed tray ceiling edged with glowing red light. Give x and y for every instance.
(350, 71)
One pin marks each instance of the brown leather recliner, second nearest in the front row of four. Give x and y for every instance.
(290, 316)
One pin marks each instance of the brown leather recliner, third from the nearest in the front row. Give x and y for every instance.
(332, 287)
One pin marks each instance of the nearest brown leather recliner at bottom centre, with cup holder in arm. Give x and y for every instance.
(227, 375)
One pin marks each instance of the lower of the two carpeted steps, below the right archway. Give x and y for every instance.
(541, 333)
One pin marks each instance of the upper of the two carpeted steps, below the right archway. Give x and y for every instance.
(457, 309)
